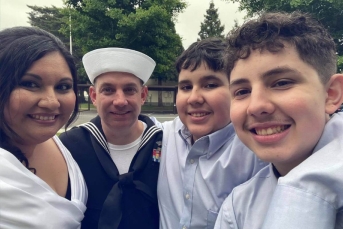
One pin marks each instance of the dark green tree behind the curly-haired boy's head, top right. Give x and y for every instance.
(328, 12)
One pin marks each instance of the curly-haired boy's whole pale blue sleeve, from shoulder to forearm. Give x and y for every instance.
(311, 195)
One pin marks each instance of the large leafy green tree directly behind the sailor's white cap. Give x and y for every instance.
(143, 25)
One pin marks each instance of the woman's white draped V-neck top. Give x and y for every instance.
(26, 201)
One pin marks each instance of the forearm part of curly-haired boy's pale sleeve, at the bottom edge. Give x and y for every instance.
(292, 208)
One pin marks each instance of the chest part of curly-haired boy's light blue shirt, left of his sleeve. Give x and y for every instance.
(248, 203)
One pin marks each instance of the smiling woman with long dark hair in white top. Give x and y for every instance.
(41, 186)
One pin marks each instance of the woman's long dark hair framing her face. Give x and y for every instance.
(20, 47)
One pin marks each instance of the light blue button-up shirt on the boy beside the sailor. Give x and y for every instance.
(195, 179)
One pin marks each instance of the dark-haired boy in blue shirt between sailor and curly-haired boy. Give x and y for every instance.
(202, 159)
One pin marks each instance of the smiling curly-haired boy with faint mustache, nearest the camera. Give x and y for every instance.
(284, 91)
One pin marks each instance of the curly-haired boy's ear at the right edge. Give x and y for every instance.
(334, 90)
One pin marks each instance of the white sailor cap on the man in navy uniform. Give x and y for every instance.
(104, 60)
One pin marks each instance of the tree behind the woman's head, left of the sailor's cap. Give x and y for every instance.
(52, 19)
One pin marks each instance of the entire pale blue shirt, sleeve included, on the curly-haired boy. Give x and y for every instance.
(309, 197)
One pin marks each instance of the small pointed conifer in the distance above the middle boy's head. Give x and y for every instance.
(211, 27)
